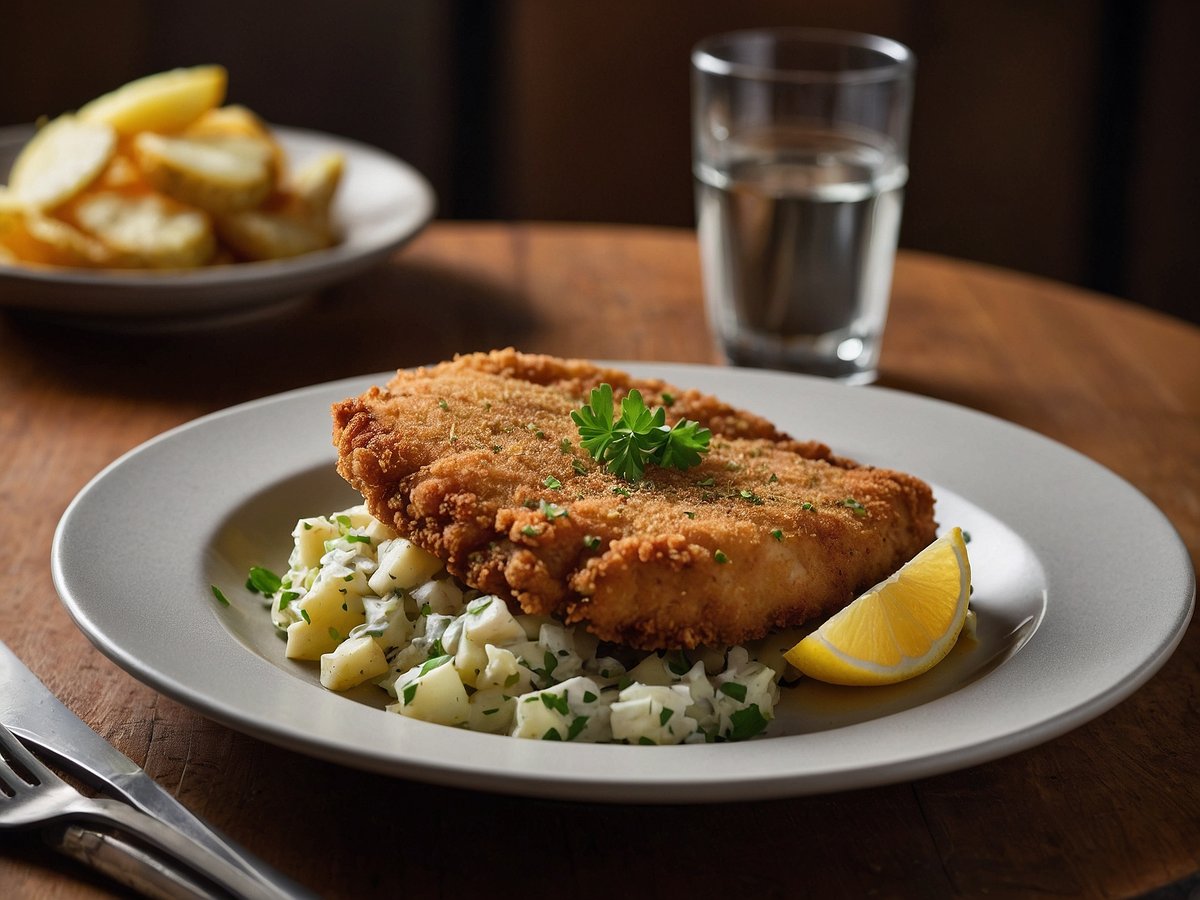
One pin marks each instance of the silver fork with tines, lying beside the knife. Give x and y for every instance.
(33, 796)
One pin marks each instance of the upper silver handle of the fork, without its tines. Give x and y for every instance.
(195, 857)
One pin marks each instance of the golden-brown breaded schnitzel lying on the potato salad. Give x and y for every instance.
(478, 461)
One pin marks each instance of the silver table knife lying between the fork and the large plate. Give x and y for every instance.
(32, 712)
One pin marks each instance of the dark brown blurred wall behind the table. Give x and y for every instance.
(1057, 137)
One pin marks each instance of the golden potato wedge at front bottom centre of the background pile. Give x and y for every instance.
(148, 232)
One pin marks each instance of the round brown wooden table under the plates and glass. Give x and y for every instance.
(1112, 809)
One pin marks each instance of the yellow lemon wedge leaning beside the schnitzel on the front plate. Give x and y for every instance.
(898, 629)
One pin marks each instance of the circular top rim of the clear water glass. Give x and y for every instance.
(898, 59)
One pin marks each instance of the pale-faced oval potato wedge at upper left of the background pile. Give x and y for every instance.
(63, 159)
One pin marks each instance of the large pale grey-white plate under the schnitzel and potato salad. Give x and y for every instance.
(1082, 587)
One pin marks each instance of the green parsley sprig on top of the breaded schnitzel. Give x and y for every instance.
(639, 439)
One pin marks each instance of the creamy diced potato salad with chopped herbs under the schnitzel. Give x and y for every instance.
(371, 607)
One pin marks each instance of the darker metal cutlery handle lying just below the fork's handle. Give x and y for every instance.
(127, 865)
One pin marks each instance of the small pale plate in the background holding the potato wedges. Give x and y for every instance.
(380, 205)
